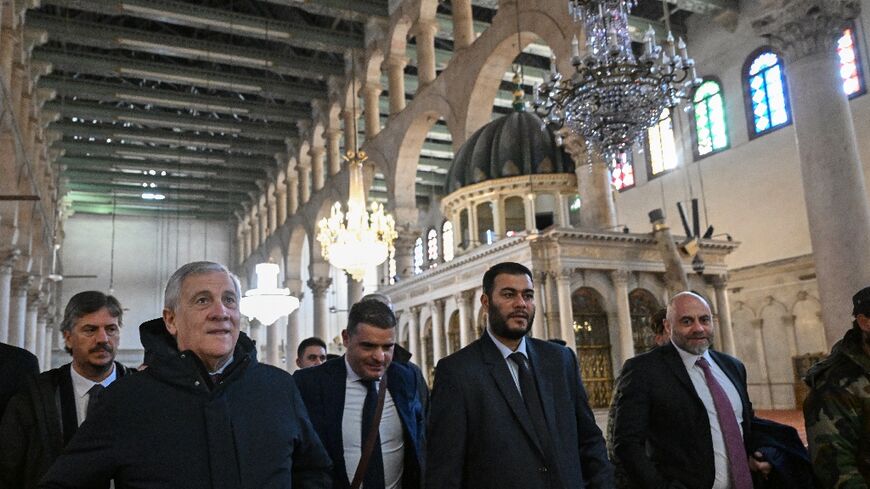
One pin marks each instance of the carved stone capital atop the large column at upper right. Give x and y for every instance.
(800, 28)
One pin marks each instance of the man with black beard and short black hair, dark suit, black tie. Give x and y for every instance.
(509, 411)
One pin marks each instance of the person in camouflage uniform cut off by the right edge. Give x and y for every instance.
(837, 410)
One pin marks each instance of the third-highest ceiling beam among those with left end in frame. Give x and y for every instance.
(118, 92)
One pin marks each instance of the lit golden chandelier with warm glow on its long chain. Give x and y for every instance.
(359, 239)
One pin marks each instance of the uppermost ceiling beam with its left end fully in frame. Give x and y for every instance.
(99, 35)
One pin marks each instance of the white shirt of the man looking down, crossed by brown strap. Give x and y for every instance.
(392, 439)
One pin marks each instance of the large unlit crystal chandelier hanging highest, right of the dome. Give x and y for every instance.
(614, 95)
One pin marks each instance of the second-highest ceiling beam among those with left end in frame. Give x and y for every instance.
(121, 66)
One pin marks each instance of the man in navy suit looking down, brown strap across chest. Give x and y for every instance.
(341, 395)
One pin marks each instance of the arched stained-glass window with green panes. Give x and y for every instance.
(711, 130)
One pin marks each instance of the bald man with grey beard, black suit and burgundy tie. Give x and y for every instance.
(682, 409)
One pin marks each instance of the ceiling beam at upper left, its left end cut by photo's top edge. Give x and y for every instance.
(222, 20)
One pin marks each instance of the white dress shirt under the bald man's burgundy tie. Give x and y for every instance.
(696, 374)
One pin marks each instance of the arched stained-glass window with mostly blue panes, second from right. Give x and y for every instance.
(768, 100)
